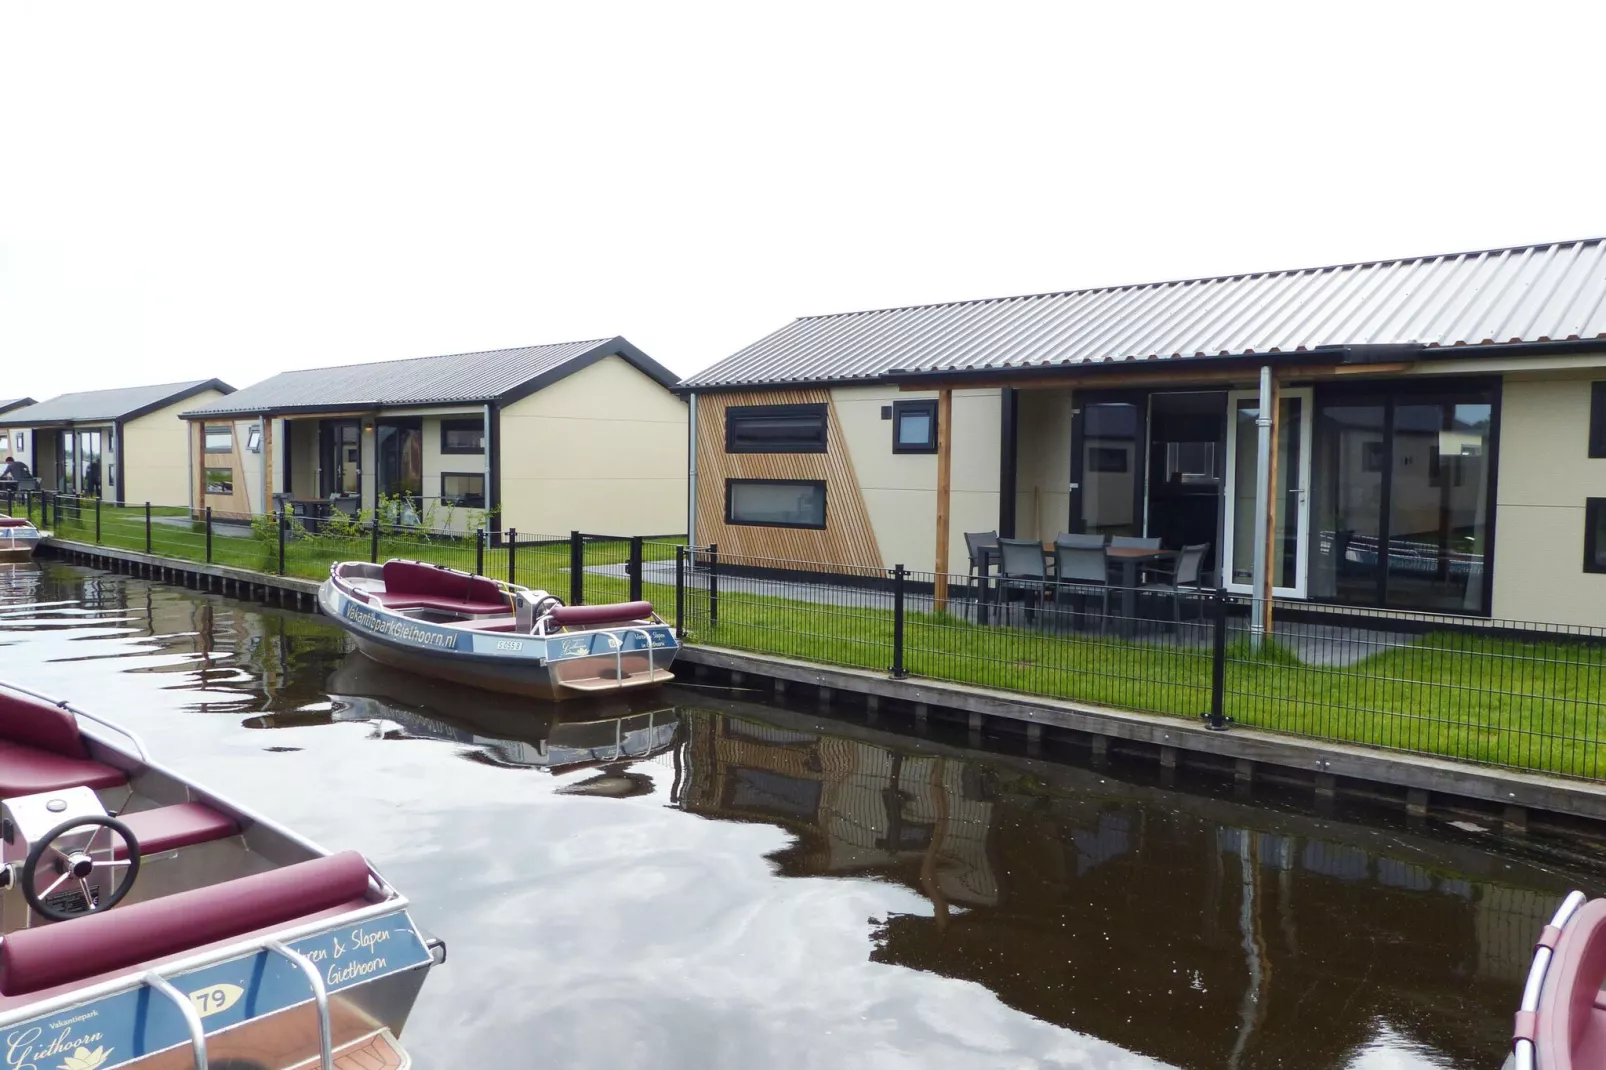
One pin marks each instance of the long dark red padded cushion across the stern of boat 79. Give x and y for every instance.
(129, 936)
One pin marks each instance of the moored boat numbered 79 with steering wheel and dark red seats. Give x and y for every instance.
(152, 923)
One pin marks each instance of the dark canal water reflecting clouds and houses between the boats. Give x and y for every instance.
(709, 881)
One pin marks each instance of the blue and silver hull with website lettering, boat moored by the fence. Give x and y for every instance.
(555, 669)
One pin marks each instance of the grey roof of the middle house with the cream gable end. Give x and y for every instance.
(457, 378)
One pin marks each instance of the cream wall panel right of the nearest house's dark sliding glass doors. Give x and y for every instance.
(1546, 475)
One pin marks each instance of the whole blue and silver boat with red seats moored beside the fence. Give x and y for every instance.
(473, 631)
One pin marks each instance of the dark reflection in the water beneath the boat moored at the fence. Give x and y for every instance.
(503, 730)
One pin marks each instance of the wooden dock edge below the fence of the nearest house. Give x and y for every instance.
(1329, 766)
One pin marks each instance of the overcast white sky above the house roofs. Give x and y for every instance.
(229, 190)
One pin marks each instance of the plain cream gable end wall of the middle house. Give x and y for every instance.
(601, 451)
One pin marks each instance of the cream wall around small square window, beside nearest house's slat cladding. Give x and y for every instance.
(900, 489)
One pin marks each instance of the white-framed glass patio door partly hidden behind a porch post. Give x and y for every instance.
(1292, 447)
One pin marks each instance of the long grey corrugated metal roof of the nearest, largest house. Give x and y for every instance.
(1522, 295)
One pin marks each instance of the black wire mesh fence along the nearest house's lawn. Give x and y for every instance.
(1504, 693)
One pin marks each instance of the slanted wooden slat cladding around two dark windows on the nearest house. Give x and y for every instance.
(847, 537)
